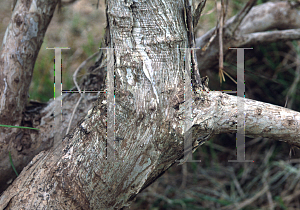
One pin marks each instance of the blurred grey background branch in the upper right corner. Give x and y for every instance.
(264, 17)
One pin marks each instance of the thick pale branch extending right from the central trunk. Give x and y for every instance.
(219, 114)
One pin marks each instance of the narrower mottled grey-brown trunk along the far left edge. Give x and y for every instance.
(21, 44)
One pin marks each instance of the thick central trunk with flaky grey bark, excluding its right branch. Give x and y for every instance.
(76, 174)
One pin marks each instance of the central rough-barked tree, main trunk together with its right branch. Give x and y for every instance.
(149, 39)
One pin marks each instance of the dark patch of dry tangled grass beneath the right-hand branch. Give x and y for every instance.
(271, 182)
